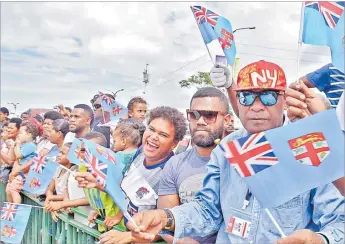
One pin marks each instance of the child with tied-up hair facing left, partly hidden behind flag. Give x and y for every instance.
(127, 138)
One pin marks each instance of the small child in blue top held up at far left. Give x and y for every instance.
(24, 150)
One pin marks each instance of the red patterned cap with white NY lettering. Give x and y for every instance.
(261, 75)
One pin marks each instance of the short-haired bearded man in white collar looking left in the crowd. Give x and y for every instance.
(80, 122)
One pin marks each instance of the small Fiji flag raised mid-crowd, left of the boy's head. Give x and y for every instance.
(112, 110)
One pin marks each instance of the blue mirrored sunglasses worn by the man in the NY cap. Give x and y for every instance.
(267, 98)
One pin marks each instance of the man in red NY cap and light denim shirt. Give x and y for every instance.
(315, 217)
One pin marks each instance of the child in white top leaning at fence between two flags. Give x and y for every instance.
(59, 181)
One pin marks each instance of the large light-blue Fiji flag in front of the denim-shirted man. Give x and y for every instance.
(279, 164)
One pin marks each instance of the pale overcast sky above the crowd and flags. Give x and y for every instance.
(55, 53)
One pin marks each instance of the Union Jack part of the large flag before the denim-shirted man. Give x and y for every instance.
(250, 155)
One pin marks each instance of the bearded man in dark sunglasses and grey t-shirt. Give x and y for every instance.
(183, 174)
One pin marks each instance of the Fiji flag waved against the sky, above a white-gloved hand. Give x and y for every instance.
(215, 27)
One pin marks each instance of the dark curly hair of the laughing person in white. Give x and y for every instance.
(174, 116)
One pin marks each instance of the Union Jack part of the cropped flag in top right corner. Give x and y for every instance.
(331, 11)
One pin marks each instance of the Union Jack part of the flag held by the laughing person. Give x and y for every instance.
(96, 167)
